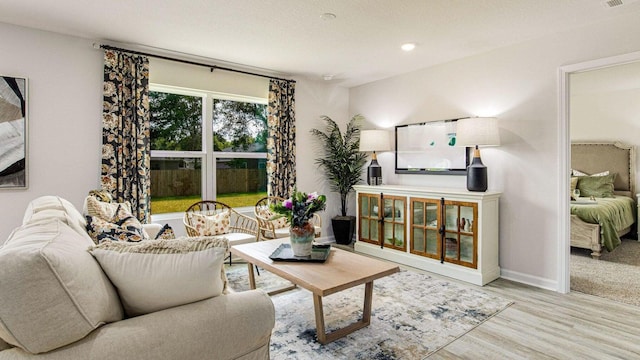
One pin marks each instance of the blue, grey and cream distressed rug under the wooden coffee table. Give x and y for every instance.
(413, 315)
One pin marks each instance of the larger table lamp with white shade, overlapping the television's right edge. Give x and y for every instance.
(478, 131)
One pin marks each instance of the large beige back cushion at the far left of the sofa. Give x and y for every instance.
(52, 291)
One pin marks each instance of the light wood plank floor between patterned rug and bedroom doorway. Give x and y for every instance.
(543, 324)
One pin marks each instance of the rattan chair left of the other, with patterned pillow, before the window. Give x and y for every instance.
(242, 229)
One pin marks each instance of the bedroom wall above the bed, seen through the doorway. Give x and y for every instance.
(605, 106)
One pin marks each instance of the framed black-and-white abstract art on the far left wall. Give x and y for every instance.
(13, 132)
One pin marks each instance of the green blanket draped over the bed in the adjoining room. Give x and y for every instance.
(612, 214)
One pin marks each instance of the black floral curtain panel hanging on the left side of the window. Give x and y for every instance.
(125, 130)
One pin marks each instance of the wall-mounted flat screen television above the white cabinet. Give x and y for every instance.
(430, 148)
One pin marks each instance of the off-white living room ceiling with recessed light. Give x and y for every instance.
(289, 37)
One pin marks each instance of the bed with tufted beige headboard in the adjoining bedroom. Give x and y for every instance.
(598, 223)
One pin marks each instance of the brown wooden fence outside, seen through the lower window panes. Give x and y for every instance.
(186, 182)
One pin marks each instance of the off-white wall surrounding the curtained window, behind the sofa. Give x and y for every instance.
(65, 115)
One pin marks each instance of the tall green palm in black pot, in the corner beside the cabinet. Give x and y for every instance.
(342, 163)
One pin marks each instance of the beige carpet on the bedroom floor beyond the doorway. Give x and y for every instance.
(615, 276)
